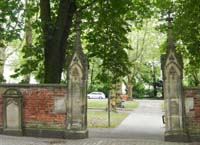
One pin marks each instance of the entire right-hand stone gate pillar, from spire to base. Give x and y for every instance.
(172, 66)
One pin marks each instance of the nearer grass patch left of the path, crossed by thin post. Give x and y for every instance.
(99, 119)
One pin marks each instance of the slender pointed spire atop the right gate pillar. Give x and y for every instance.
(170, 40)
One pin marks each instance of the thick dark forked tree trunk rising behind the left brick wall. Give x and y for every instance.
(55, 37)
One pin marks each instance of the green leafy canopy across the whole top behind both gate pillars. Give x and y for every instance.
(105, 25)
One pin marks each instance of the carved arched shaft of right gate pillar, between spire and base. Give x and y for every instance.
(173, 92)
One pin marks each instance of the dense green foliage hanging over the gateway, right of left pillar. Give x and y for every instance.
(112, 48)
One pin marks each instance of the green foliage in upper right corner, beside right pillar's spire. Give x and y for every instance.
(187, 29)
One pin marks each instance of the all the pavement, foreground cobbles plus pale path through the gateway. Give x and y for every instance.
(142, 127)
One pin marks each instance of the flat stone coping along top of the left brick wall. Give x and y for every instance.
(34, 85)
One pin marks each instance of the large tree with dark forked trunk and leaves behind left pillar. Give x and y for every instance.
(56, 23)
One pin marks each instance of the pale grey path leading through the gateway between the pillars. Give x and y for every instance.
(143, 123)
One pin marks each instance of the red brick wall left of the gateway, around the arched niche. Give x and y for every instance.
(38, 105)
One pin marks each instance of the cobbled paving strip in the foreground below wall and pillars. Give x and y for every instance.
(7, 140)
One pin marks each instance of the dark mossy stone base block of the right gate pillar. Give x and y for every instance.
(176, 136)
